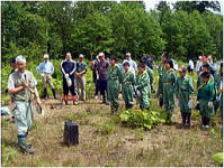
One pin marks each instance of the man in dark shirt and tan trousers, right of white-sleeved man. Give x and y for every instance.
(80, 77)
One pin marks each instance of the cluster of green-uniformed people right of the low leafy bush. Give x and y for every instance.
(209, 89)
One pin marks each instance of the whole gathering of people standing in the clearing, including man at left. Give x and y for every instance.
(134, 81)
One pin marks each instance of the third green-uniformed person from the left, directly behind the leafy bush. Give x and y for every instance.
(142, 87)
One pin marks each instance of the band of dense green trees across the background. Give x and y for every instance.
(34, 28)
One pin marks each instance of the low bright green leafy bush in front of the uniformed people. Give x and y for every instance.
(139, 118)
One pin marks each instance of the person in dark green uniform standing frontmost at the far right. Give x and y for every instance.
(205, 97)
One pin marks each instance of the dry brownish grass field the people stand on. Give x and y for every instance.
(104, 141)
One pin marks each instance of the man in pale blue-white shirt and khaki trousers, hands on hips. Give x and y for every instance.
(46, 69)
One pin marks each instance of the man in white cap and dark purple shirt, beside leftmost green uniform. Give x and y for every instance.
(102, 69)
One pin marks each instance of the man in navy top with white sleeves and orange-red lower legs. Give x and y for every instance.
(68, 68)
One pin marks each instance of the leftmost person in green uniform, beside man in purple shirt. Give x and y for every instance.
(113, 84)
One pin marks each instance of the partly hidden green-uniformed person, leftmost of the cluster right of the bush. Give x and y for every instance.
(161, 72)
